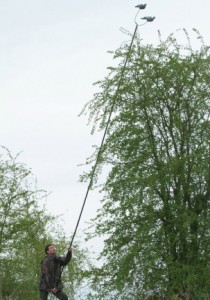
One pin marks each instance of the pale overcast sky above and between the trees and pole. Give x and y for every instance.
(51, 53)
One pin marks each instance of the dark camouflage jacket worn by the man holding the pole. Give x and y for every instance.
(51, 272)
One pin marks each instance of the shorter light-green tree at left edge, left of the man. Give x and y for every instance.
(23, 230)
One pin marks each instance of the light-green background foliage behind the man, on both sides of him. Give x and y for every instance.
(26, 228)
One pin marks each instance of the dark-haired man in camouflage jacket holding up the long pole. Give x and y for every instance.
(50, 280)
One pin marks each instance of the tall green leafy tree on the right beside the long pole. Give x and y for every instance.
(156, 206)
